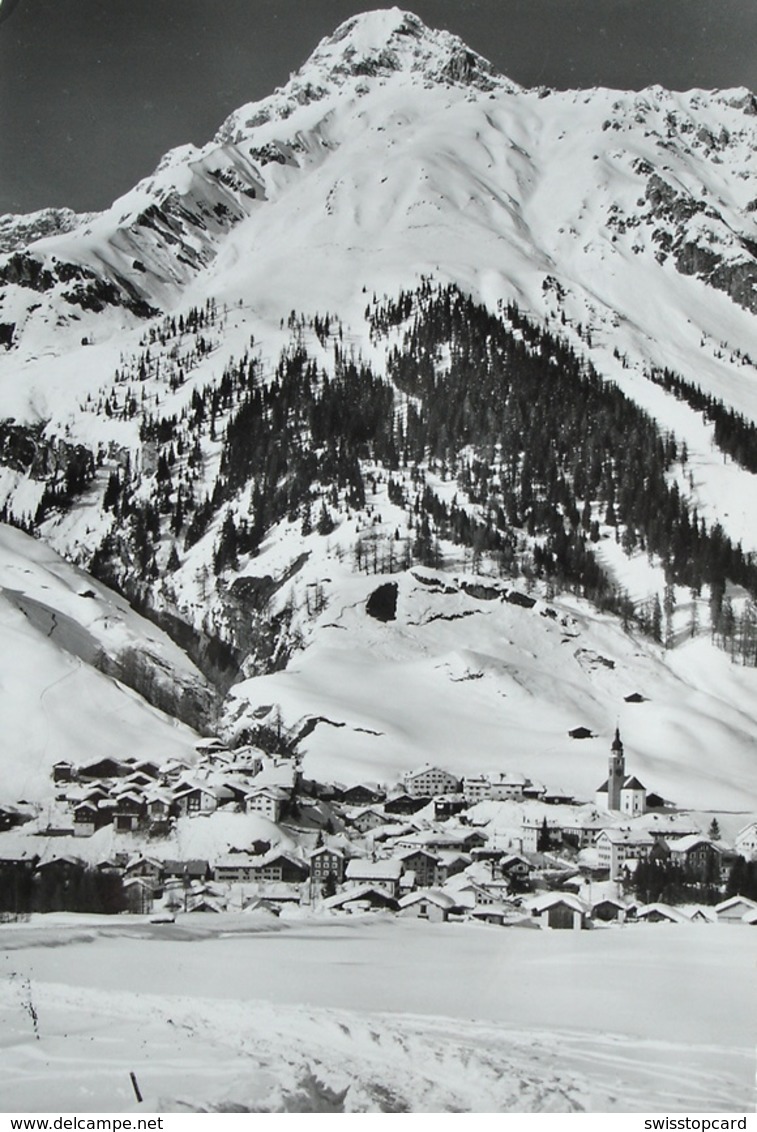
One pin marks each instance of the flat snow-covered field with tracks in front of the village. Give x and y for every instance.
(375, 1015)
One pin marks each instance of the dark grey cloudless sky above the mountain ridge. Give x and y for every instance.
(93, 92)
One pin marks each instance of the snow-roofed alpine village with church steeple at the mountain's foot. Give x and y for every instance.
(496, 850)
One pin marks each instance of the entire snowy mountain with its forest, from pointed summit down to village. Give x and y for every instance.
(227, 297)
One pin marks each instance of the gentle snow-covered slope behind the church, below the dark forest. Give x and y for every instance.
(479, 684)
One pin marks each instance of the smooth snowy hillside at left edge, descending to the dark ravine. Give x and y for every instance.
(59, 633)
